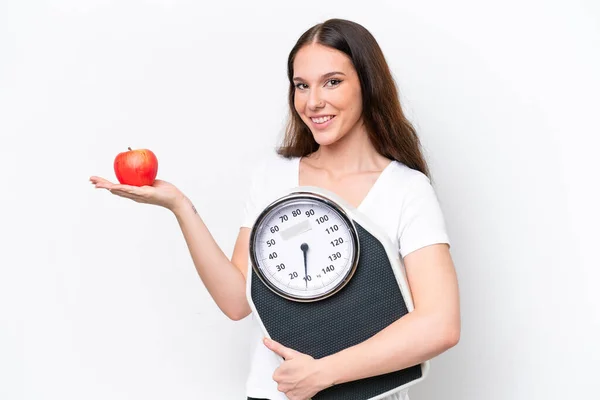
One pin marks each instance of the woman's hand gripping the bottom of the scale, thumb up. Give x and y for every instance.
(300, 376)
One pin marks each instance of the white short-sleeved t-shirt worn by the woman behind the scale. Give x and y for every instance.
(402, 202)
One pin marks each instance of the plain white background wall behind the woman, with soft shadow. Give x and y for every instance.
(98, 295)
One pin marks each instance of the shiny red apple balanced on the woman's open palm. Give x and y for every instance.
(136, 167)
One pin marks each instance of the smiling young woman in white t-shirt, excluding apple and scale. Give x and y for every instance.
(347, 134)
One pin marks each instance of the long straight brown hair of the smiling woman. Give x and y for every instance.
(392, 135)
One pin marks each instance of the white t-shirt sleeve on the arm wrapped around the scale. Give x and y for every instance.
(421, 219)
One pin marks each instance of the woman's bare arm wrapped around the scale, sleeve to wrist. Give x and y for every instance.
(430, 329)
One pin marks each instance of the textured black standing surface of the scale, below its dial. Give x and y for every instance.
(367, 304)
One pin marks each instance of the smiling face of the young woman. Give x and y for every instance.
(327, 95)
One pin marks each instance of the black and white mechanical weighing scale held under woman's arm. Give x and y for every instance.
(322, 278)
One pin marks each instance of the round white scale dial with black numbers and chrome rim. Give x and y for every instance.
(304, 247)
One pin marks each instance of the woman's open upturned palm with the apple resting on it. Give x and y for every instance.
(161, 193)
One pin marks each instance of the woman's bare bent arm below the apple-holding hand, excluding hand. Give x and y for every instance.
(225, 280)
